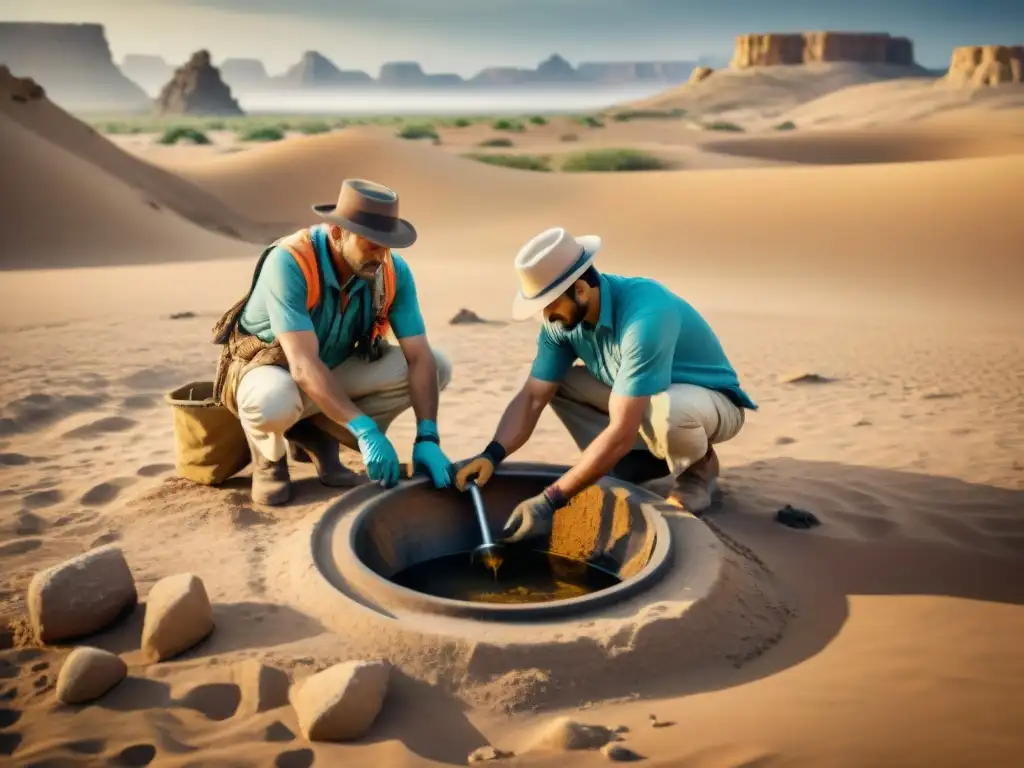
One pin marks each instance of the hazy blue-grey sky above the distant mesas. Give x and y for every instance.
(463, 36)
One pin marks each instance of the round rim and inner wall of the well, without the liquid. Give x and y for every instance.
(413, 525)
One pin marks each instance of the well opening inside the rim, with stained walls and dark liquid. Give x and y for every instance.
(420, 541)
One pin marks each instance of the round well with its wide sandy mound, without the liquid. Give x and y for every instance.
(687, 599)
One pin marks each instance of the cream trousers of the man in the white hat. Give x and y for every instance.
(678, 426)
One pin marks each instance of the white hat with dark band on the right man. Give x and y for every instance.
(547, 266)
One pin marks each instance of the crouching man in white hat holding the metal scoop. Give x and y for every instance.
(655, 383)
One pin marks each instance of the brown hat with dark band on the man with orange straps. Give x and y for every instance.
(370, 210)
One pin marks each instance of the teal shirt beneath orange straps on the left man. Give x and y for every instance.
(278, 304)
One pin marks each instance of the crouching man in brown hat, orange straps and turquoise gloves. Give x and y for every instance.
(306, 362)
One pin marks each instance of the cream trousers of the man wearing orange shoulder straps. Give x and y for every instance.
(270, 402)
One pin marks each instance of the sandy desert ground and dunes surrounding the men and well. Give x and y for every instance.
(900, 280)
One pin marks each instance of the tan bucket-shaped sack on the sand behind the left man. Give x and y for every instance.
(209, 443)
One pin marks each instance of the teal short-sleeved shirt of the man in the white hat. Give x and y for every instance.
(647, 338)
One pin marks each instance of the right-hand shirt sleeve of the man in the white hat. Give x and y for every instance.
(648, 349)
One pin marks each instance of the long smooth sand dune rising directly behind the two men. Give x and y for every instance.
(858, 224)
